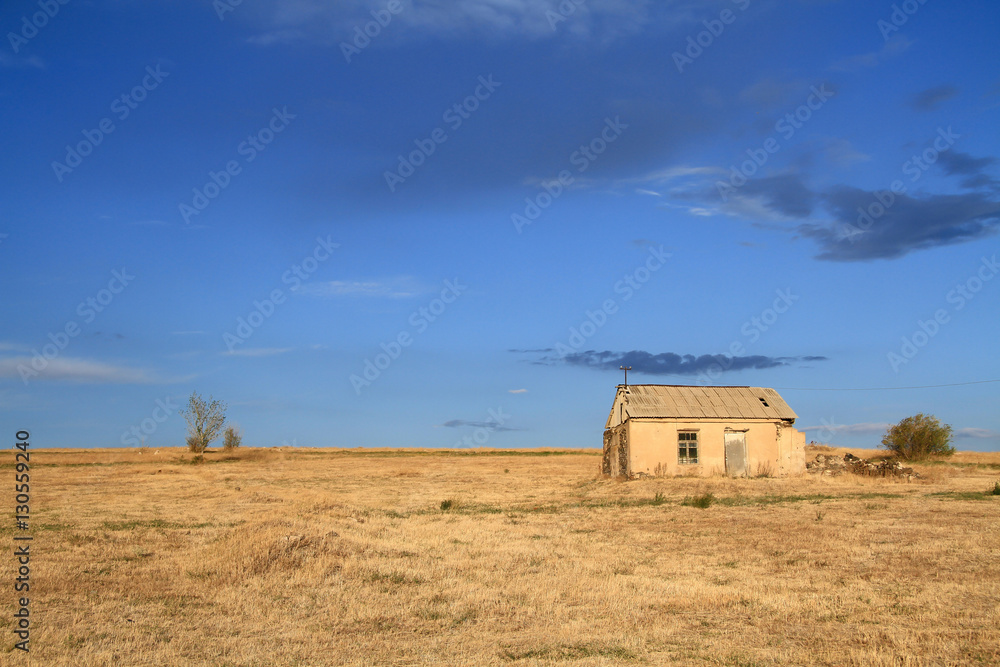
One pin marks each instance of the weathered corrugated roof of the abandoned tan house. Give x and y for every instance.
(677, 401)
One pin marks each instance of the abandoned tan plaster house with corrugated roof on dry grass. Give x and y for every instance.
(680, 430)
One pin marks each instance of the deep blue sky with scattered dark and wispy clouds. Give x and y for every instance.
(455, 228)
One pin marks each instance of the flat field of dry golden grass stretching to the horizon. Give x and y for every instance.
(334, 557)
